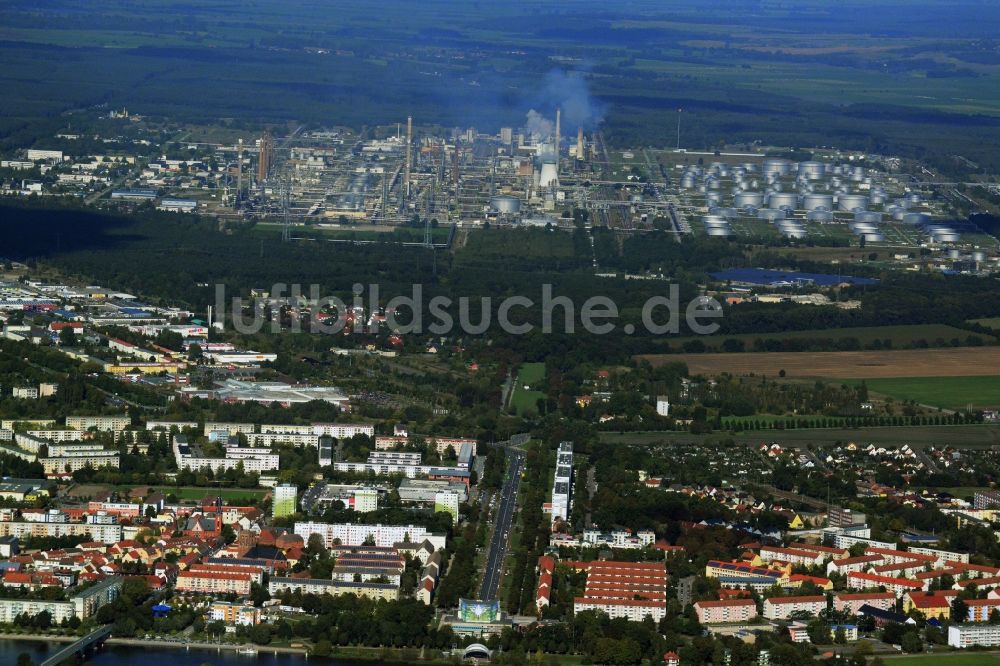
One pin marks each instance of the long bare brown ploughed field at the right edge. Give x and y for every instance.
(950, 362)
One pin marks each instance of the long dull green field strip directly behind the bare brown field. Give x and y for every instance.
(900, 336)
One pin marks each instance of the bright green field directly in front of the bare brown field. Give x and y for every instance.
(945, 392)
